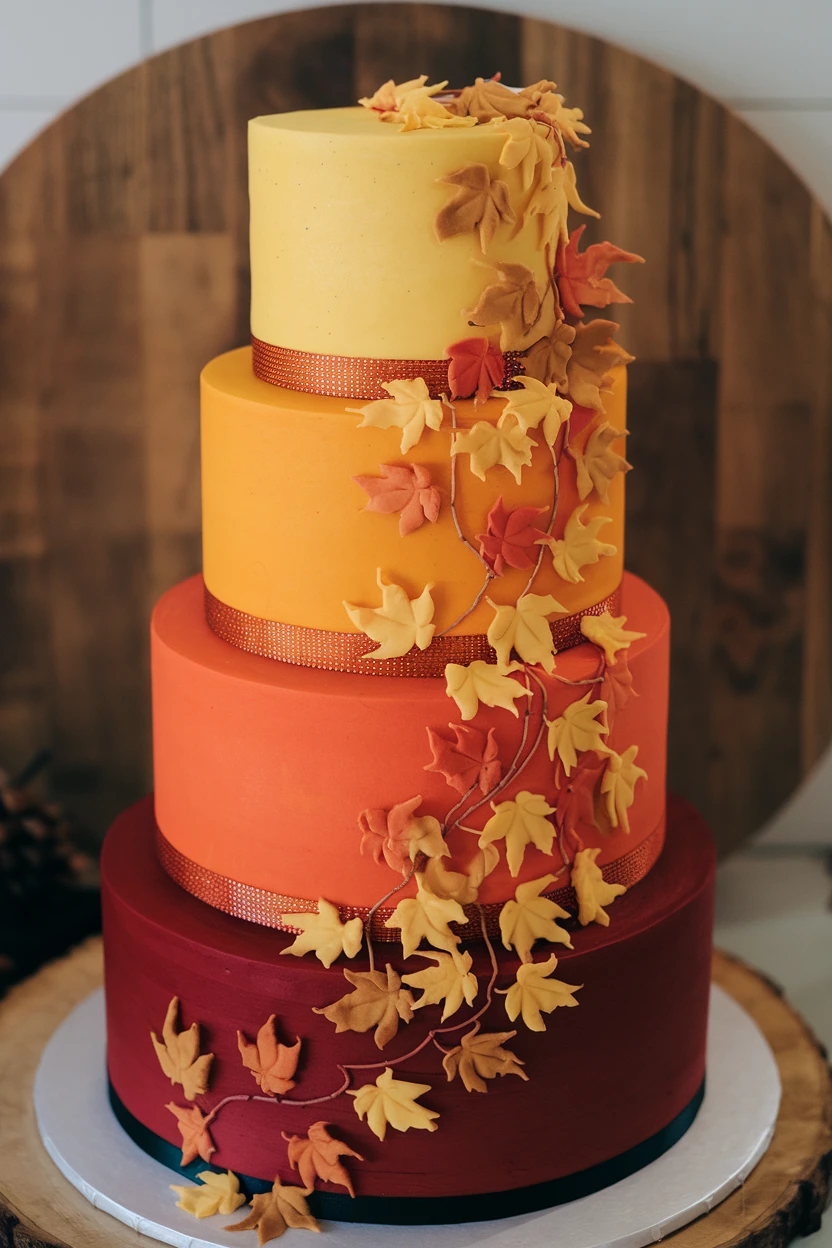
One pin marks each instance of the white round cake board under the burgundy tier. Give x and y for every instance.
(730, 1135)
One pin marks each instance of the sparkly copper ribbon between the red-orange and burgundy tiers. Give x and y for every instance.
(271, 909)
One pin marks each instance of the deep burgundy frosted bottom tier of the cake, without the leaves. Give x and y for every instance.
(604, 1076)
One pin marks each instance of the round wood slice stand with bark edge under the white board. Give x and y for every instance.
(783, 1199)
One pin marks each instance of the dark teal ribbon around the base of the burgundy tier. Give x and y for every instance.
(427, 1210)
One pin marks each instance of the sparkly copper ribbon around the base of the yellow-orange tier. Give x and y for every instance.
(350, 652)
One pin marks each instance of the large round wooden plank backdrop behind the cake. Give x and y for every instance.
(124, 269)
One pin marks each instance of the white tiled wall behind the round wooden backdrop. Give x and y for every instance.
(769, 61)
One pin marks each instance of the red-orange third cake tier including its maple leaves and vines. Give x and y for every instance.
(269, 777)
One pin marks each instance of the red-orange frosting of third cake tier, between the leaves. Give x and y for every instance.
(264, 769)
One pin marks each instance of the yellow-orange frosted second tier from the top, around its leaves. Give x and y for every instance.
(288, 536)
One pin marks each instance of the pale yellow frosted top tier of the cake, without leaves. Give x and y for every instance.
(345, 255)
